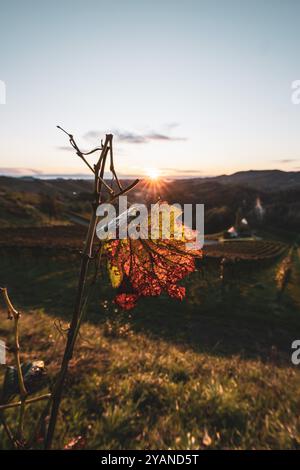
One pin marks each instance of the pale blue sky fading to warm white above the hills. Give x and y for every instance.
(187, 87)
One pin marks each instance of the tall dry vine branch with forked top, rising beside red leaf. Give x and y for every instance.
(87, 256)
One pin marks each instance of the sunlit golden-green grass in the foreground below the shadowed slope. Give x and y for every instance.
(134, 392)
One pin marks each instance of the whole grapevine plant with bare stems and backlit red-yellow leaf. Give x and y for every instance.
(136, 267)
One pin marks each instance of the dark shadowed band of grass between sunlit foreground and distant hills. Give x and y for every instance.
(240, 316)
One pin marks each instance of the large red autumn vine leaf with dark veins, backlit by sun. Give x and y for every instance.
(149, 267)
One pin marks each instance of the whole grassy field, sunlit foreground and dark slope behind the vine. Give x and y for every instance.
(213, 371)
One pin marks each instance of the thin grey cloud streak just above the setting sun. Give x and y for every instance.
(130, 137)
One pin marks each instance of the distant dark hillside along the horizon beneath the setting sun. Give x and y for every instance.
(32, 201)
